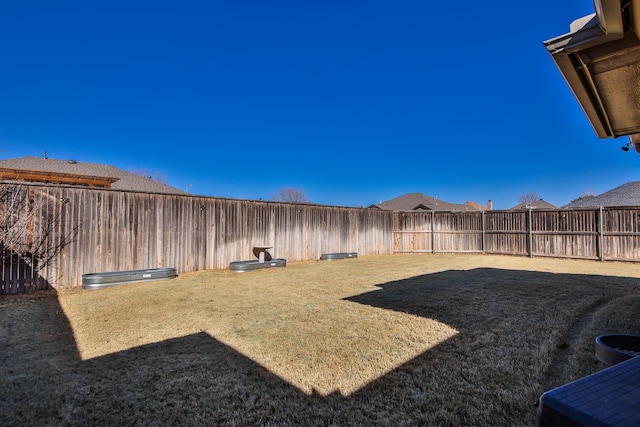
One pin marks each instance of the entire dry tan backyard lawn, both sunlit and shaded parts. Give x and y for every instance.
(387, 340)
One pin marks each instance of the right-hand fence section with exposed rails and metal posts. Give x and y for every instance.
(606, 234)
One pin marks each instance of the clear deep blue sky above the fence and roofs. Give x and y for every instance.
(353, 102)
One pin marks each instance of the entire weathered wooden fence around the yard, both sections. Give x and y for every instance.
(52, 235)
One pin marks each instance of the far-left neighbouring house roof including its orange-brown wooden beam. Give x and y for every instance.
(38, 169)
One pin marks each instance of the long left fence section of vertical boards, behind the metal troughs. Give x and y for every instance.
(82, 230)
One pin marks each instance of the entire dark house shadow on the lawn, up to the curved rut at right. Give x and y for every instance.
(491, 373)
